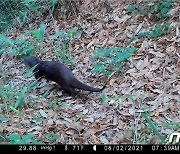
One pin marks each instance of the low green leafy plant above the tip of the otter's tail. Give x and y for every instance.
(111, 60)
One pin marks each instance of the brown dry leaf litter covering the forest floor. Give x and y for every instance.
(152, 77)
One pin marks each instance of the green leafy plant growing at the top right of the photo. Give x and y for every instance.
(159, 9)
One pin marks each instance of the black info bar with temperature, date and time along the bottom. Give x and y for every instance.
(89, 148)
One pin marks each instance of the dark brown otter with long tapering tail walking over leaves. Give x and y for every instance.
(59, 73)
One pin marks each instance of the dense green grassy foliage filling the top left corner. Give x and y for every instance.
(16, 12)
